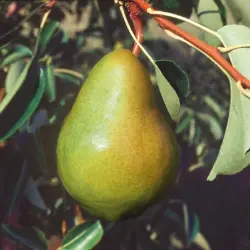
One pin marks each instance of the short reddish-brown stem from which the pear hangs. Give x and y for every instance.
(135, 16)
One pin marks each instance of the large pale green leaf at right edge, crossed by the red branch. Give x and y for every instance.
(233, 156)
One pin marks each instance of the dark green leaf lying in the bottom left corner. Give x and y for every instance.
(28, 237)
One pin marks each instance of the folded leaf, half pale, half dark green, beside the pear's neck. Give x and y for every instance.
(171, 84)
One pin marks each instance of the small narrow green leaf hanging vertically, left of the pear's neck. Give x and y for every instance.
(50, 85)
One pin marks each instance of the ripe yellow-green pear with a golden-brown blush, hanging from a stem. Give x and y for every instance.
(116, 153)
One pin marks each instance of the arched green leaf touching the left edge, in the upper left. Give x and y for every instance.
(17, 53)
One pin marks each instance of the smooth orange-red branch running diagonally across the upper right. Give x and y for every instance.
(211, 51)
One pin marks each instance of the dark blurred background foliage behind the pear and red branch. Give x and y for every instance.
(36, 211)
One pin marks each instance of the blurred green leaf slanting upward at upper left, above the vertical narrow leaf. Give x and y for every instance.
(46, 35)
